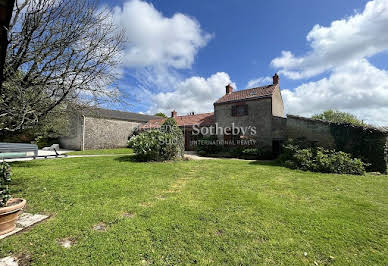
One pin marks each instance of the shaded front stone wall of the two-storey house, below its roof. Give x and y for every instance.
(259, 115)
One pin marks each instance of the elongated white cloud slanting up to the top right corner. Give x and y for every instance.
(359, 36)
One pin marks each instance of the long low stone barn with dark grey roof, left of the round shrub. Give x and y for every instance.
(99, 128)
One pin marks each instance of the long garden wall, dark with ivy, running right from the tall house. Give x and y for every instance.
(368, 143)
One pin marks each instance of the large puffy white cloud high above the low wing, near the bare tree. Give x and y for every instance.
(157, 40)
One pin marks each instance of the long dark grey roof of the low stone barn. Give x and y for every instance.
(114, 114)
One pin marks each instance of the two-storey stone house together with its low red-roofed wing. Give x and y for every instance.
(260, 108)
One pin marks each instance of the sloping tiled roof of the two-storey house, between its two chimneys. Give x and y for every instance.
(248, 94)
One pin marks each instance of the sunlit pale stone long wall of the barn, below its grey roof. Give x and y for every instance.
(101, 133)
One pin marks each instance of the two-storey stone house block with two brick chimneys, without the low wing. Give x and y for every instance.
(259, 107)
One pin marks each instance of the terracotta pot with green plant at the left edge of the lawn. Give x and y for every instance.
(10, 208)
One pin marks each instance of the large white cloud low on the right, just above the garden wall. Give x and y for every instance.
(357, 87)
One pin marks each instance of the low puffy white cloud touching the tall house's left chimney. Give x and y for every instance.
(195, 94)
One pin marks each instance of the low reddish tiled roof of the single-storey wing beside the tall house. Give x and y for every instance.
(205, 119)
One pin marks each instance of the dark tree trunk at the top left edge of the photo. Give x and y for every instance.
(6, 8)
